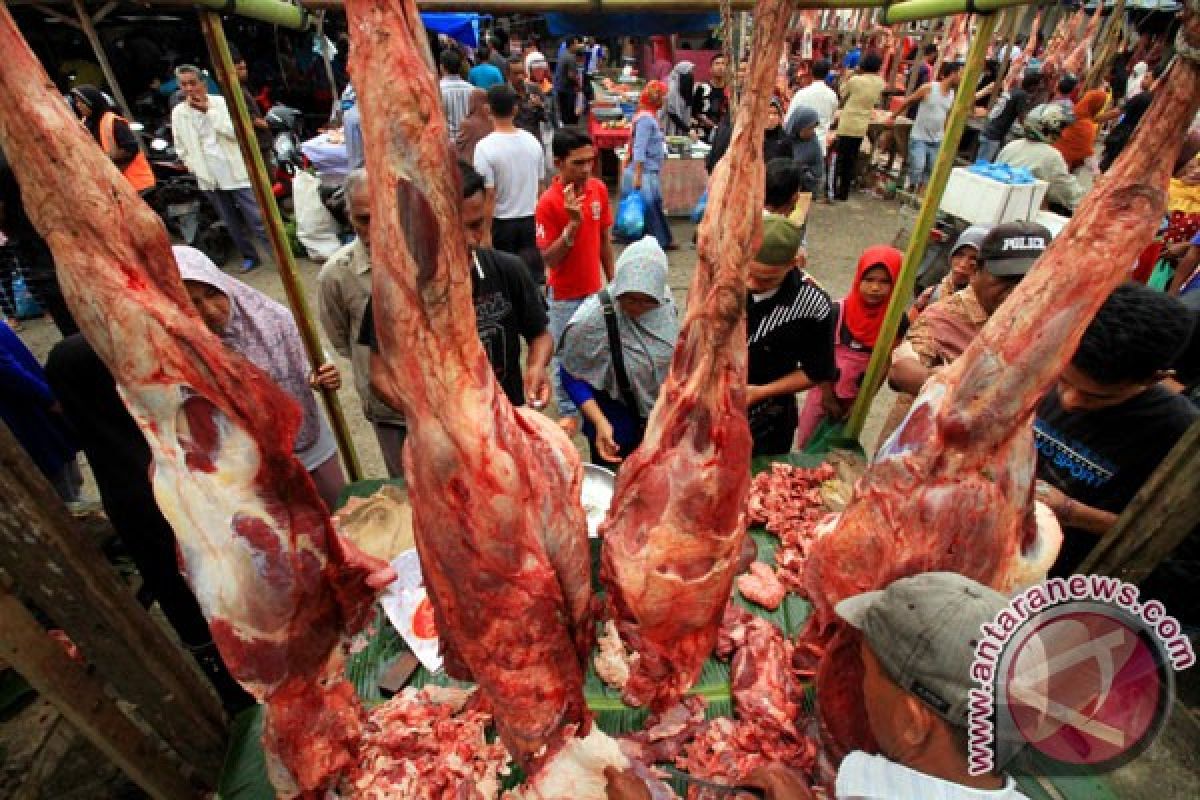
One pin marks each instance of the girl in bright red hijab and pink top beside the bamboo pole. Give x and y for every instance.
(860, 320)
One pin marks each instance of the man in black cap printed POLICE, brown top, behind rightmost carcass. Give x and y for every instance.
(944, 332)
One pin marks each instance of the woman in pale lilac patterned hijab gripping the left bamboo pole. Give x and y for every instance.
(266, 334)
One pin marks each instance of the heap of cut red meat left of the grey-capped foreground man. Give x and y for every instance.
(766, 702)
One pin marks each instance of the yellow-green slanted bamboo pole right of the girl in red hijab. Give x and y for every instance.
(964, 101)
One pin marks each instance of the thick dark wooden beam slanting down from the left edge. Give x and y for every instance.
(67, 576)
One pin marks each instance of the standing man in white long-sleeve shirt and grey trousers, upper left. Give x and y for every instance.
(207, 143)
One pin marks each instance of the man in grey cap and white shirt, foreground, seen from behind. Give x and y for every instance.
(919, 645)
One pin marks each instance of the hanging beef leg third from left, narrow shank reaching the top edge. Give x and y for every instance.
(676, 527)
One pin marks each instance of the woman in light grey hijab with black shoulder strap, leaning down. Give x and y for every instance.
(615, 411)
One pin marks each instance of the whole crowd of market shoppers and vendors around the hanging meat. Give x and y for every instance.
(575, 326)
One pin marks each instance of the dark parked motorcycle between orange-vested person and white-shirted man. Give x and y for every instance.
(177, 199)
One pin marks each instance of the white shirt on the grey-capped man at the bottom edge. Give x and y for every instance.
(863, 777)
